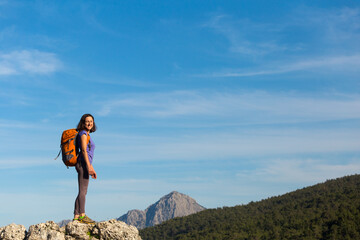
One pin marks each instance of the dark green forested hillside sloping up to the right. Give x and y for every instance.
(329, 210)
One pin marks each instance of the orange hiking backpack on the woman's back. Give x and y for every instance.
(68, 147)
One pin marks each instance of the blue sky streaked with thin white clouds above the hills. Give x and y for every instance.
(226, 101)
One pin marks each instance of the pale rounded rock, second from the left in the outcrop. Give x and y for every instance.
(45, 231)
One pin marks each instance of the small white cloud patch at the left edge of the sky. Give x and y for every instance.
(28, 61)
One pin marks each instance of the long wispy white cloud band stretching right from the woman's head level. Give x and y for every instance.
(243, 107)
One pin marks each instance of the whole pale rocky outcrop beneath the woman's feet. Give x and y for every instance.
(111, 229)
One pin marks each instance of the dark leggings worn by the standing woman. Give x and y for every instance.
(83, 180)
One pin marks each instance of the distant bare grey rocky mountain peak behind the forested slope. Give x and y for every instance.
(172, 205)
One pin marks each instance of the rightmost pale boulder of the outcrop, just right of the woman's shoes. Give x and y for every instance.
(114, 229)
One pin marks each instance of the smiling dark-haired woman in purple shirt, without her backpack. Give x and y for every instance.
(84, 166)
